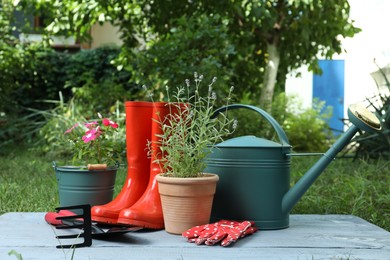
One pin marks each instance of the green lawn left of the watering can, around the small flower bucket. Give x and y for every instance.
(28, 182)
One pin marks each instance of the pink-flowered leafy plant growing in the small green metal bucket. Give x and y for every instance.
(94, 141)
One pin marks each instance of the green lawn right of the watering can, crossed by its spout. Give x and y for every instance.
(347, 186)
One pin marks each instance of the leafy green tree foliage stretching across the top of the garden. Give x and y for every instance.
(228, 36)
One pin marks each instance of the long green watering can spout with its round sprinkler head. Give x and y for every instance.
(361, 119)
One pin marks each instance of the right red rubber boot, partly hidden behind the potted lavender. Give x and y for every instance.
(147, 211)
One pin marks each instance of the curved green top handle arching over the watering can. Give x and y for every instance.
(281, 134)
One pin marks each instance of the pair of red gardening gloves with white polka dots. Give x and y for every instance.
(225, 231)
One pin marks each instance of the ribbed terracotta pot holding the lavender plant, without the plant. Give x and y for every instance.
(186, 202)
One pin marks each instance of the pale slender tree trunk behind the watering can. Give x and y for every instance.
(270, 74)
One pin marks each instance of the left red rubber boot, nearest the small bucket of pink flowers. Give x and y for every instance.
(138, 131)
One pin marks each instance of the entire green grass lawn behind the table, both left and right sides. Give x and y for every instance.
(360, 188)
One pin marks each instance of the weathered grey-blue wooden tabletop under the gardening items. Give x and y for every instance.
(308, 237)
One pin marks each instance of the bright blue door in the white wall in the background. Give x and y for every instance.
(329, 87)
